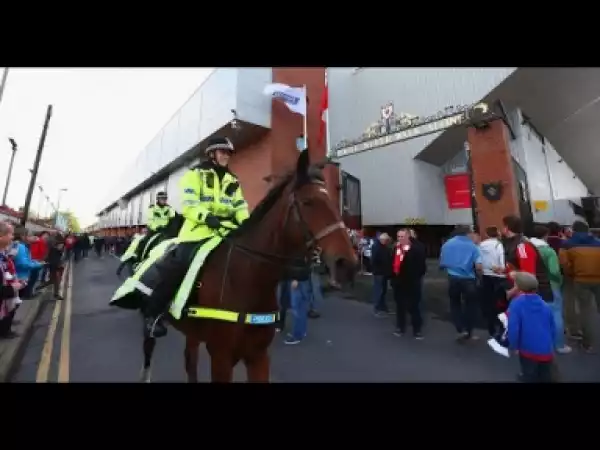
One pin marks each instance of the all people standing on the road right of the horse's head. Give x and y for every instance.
(536, 294)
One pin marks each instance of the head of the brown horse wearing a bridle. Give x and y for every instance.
(316, 221)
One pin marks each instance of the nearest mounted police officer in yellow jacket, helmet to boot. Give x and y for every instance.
(211, 195)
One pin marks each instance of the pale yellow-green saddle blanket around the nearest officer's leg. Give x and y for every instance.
(127, 297)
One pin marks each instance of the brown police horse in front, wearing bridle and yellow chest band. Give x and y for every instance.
(242, 273)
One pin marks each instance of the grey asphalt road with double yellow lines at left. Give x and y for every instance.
(88, 341)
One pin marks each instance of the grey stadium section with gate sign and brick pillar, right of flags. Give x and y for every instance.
(440, 147)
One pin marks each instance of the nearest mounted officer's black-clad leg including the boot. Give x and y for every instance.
(164, 278)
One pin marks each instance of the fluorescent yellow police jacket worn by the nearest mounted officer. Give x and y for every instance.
(204, 192)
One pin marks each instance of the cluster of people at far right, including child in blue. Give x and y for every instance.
(546, 285)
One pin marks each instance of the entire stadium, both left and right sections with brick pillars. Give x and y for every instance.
(429, 147)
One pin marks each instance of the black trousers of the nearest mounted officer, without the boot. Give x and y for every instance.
(165, 276)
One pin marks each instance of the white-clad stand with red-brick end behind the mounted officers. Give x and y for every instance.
(264, 133)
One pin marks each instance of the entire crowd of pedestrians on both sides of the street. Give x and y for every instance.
(546, 285)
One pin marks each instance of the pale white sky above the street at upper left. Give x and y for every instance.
(102, 118)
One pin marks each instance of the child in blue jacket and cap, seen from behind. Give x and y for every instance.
(531, 331)
